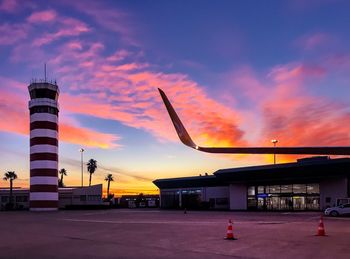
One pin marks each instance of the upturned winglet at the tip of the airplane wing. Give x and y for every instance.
(179, 127)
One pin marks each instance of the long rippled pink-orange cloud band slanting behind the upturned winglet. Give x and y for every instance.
(127, 92)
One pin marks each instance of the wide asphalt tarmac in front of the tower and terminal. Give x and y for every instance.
(153, 233)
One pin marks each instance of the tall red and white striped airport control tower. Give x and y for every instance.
(44, 109)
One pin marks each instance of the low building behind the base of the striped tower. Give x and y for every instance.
(67, 197)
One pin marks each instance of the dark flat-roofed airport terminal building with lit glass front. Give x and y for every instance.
(308, 184)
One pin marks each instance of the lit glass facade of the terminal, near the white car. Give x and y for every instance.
(290, 197)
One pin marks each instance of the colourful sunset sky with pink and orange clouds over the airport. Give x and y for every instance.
(239, 73)
